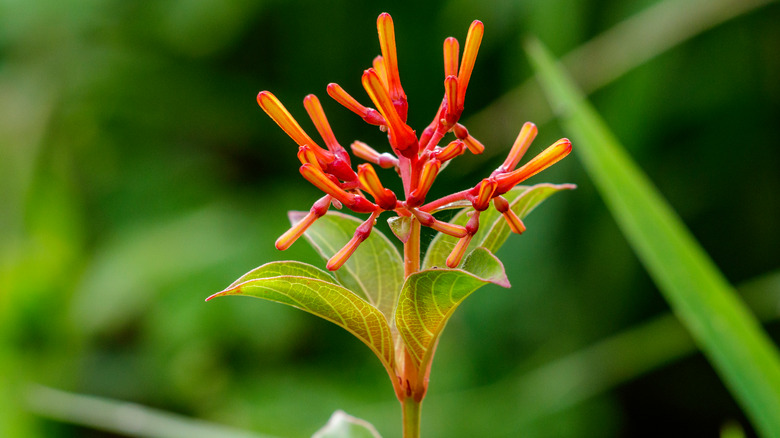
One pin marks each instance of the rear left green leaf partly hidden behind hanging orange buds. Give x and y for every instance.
(374, 271)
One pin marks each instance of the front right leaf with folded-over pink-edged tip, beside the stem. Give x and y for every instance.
(429, 298)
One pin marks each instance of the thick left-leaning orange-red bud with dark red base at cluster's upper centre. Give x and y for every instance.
(402, 137)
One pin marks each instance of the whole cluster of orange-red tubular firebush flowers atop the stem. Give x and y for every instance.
(416, 159)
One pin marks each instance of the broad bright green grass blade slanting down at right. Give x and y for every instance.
(722, 326)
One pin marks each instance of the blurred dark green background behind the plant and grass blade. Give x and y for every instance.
(138, 176)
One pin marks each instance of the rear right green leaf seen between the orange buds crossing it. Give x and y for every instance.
(493, 230)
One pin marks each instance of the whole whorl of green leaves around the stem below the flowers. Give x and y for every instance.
(399, 320)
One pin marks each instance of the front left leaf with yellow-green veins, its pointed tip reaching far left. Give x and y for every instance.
(312, 290)
